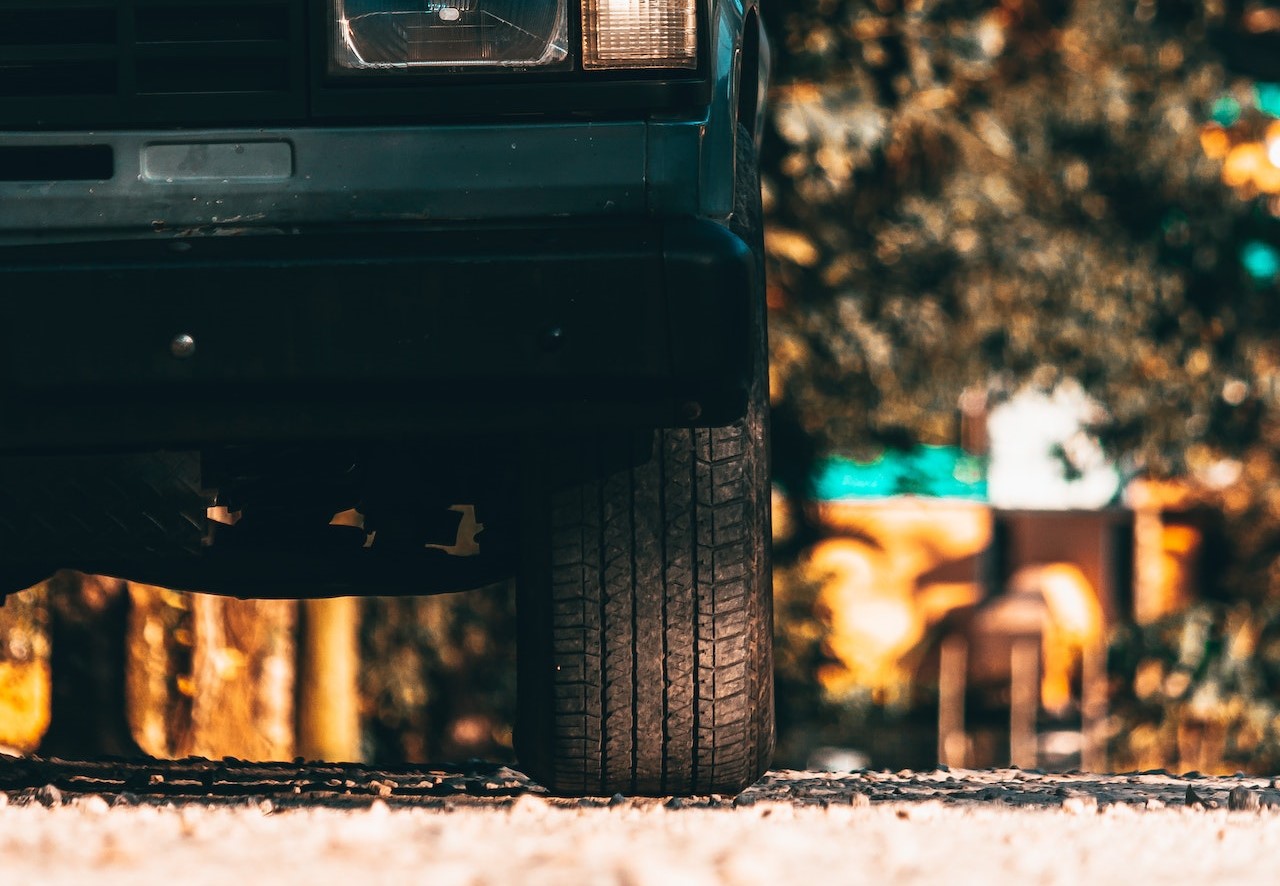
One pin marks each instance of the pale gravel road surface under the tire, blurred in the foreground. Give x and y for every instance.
(479, 825)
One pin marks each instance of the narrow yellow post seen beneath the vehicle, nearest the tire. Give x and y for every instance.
(328, 681)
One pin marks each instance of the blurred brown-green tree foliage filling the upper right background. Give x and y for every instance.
(996, 194)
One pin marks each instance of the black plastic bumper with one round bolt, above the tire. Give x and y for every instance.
(373, 332)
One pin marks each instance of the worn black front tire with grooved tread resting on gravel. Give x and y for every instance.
(647, 636)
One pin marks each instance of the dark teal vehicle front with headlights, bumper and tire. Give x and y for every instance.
(327, 298)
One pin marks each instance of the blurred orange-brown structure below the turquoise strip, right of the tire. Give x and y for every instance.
(1005, 606)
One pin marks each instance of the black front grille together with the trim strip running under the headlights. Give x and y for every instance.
(117, 65)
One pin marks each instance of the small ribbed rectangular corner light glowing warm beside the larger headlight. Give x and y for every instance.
(641, 34)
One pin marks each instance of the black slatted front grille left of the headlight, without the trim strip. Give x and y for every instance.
(95, 63)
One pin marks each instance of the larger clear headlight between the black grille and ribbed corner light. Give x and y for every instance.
(422, 34)
